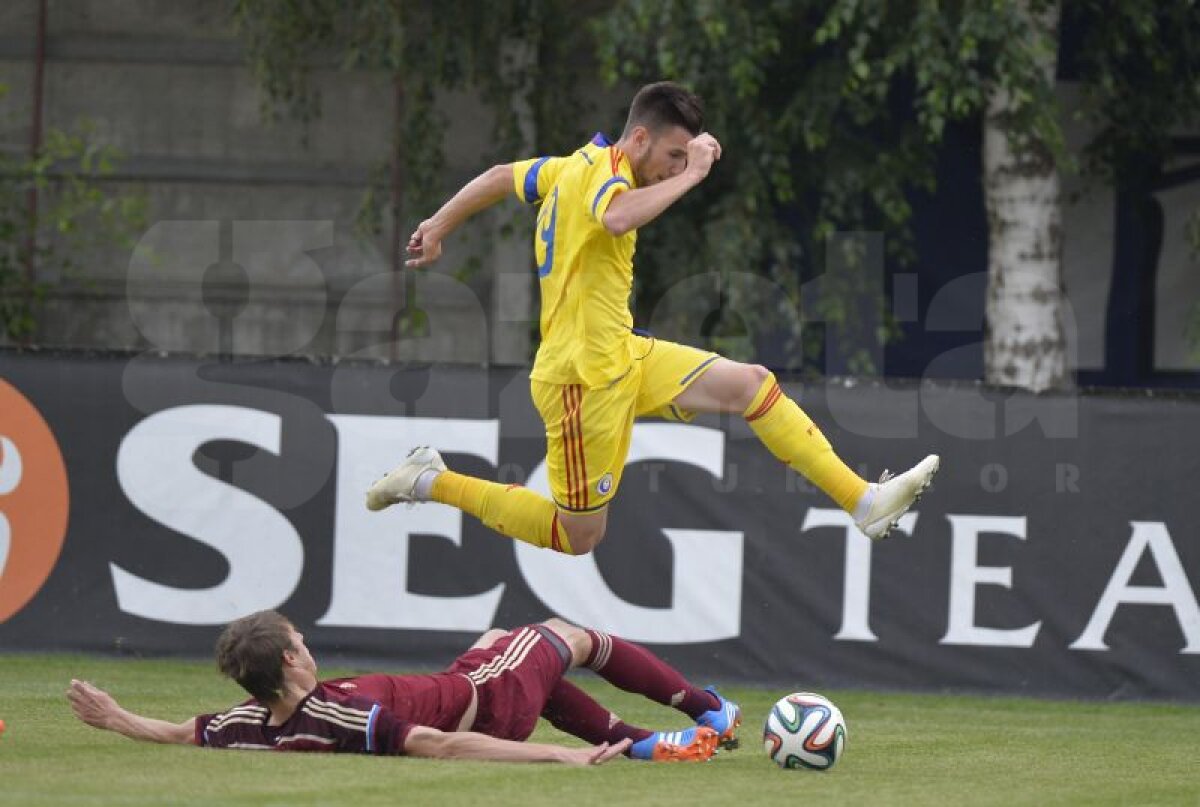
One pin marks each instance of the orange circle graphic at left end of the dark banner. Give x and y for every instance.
(35, 501)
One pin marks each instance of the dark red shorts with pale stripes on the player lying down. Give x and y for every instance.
(514, 678)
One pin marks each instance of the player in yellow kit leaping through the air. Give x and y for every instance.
(595, 374)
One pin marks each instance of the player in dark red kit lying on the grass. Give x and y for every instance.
(481, 708)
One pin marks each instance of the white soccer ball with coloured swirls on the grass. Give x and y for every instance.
(805, 731)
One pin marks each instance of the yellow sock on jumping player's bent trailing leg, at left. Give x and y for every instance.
(511, 510)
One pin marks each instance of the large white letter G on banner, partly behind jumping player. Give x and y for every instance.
(706, 608)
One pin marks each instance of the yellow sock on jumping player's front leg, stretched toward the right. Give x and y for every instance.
(794, 439)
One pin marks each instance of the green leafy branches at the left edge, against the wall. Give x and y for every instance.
(77, 213)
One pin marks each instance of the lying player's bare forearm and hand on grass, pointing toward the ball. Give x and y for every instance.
(424, 742)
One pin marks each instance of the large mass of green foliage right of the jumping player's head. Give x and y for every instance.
(831, 115)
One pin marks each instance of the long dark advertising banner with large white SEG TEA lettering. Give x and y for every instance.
(145, 503)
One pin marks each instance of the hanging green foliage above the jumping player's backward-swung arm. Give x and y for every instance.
(502, 55)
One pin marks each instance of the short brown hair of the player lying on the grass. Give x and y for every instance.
(251, 650)
